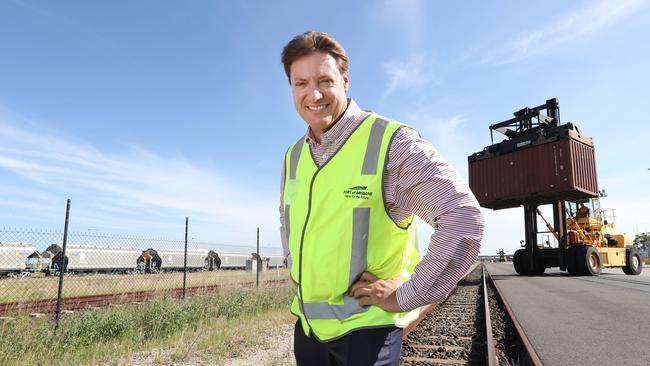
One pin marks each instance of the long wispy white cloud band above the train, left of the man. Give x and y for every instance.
(134, 190)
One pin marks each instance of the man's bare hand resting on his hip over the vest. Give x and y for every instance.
(370, 290)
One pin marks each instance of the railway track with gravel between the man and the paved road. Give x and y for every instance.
(468, 330)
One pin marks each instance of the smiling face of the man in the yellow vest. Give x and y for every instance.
(318, 90)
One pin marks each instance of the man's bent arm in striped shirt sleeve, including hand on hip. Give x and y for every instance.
(418, 180)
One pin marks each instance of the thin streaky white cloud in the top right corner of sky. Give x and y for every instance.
(570, 28)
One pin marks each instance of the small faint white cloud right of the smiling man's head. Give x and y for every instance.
(407, 73)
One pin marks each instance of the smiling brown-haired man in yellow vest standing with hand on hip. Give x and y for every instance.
(350, 189)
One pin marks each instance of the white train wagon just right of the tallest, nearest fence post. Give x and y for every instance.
(83, 258)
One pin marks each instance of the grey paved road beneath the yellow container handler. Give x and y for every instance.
(602, 320)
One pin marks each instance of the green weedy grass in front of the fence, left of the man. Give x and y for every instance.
(216, 327)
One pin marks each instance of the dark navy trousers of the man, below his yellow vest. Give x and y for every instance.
(371, 347)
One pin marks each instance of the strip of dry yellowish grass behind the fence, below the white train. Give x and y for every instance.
(36, 288)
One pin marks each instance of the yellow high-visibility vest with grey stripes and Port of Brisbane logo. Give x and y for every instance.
(337, 226)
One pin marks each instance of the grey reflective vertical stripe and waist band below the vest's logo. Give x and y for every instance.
(358, 264)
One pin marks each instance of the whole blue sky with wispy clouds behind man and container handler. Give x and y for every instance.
(146, 112)
